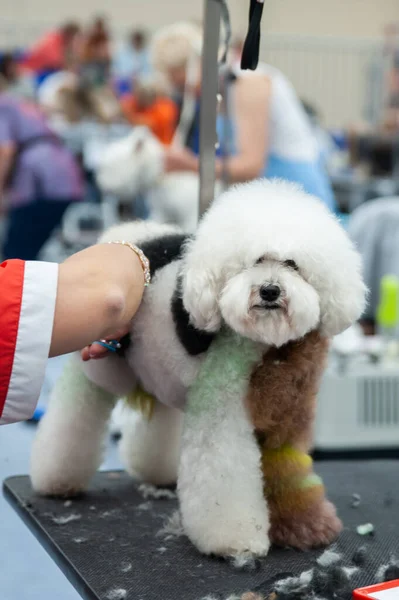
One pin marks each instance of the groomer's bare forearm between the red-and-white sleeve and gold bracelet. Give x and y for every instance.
(99, 291)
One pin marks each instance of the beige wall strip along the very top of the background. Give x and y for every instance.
(360, 18)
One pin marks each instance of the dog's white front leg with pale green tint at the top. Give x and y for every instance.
(220, 487)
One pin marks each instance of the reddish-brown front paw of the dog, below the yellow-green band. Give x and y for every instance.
(314, 528)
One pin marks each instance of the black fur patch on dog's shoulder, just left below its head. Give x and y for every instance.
(194, 340)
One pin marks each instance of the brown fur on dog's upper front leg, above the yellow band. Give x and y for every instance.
(282, 393)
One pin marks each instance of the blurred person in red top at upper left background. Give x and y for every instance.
(54, 50)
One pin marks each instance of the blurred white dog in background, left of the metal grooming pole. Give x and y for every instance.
(134, 165)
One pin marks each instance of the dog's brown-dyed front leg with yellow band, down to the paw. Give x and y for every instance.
(281, 402)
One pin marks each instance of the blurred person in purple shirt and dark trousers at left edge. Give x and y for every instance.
(39, 178)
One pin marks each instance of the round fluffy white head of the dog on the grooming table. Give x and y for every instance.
(272, 263)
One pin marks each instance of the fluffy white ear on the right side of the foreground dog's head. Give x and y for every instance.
(343, 300)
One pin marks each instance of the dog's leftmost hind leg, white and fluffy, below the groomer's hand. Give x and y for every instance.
(68, 447)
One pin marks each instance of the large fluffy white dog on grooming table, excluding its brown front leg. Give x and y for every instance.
(269, 262)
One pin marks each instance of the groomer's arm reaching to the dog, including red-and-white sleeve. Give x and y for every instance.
(49, 309)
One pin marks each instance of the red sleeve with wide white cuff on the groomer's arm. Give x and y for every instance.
(27, 305)
